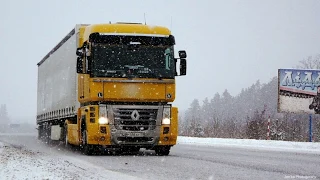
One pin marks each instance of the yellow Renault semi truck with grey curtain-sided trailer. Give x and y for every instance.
(111, 86)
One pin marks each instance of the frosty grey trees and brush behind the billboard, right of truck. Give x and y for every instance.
(246, 115)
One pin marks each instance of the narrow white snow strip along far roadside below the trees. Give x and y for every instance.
(306, 147)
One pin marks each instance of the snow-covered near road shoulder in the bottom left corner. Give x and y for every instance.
(18, 163)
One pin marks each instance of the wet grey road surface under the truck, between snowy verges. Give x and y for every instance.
(187, 161)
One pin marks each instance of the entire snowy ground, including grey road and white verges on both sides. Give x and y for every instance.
(23, 156)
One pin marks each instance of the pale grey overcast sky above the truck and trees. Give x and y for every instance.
(230, 43)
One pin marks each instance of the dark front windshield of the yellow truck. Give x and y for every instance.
(132, 61)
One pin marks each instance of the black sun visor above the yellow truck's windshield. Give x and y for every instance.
(127, 39)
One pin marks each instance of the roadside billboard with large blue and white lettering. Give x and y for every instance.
(299, 91)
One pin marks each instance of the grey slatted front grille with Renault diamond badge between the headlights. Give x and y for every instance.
(135, 119)
